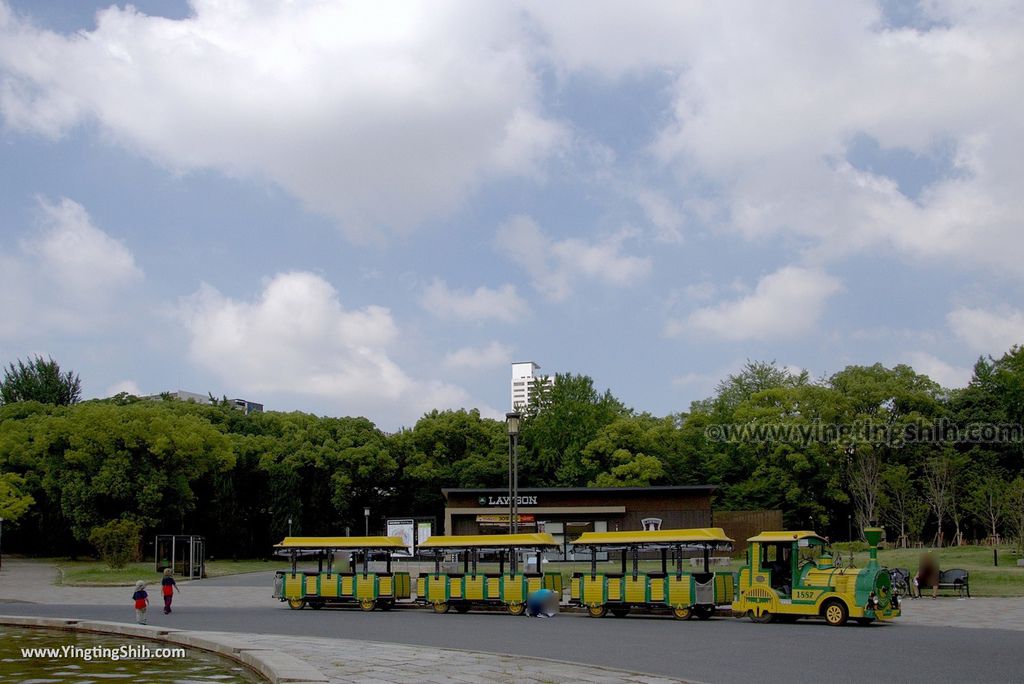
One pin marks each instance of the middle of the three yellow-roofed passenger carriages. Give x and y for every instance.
(473, 588)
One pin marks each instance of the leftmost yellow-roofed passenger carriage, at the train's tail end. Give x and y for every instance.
(356, 585)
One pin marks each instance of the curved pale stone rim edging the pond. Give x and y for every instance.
(273, 666)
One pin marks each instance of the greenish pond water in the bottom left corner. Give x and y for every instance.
(197, 667)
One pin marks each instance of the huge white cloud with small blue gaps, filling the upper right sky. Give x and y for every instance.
(767, 99)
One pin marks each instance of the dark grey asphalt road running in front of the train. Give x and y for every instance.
(720, 651)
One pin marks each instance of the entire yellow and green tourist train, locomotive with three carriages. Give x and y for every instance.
(787, 576)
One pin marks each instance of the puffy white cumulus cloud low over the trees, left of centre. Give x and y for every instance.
(297, 338)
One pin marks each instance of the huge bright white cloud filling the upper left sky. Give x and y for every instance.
(378, 114)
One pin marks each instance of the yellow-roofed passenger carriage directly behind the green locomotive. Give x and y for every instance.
(685, 593)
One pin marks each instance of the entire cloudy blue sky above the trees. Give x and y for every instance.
(373, 209)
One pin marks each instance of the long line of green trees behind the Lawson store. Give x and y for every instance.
(833, 454)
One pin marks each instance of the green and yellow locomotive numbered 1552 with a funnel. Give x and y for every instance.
(792, 575)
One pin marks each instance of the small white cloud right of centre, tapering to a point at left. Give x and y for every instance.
(785, 305)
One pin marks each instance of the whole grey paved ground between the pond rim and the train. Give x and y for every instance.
(938, 640)
